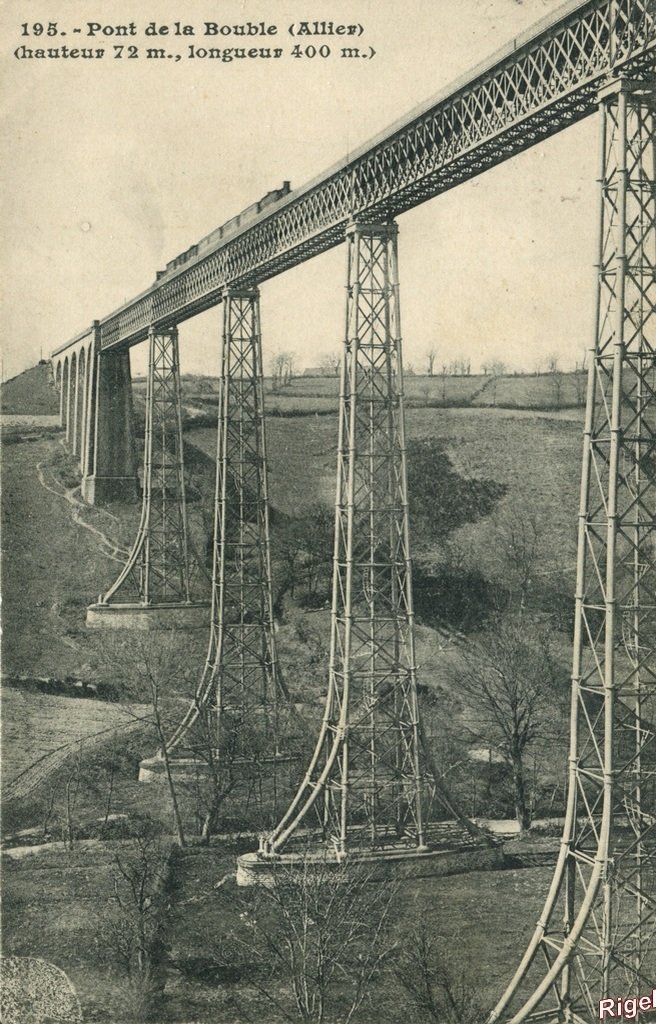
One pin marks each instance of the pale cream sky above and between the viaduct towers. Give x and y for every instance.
(111, 167)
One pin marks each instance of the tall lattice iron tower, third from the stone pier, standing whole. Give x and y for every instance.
(366, 785)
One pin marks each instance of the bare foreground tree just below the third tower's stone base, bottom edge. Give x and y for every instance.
(325, 932)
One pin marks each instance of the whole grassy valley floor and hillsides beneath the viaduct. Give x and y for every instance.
(134, 897)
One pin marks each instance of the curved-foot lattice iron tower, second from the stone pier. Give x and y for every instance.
(242, 677)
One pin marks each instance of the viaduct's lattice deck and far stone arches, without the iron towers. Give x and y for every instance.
(537, 87)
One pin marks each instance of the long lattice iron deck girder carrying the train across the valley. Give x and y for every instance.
(535, 89)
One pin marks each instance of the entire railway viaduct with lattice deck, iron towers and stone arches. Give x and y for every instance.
(370, 776)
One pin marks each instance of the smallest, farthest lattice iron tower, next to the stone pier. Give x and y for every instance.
(158, 569)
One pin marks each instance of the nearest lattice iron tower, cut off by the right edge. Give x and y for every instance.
(597, 936)
